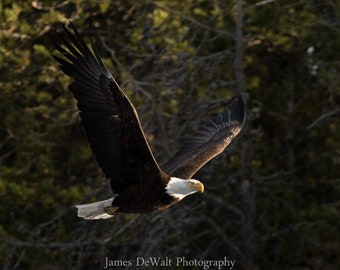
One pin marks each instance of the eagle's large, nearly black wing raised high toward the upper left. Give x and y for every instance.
(109, 119)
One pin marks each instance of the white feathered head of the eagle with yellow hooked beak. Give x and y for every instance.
(180, 188)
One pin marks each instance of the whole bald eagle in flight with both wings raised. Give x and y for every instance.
(116, 137)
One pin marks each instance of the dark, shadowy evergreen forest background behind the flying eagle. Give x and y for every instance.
(271, 200)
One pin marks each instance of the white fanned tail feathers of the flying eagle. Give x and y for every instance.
(94, 210)
